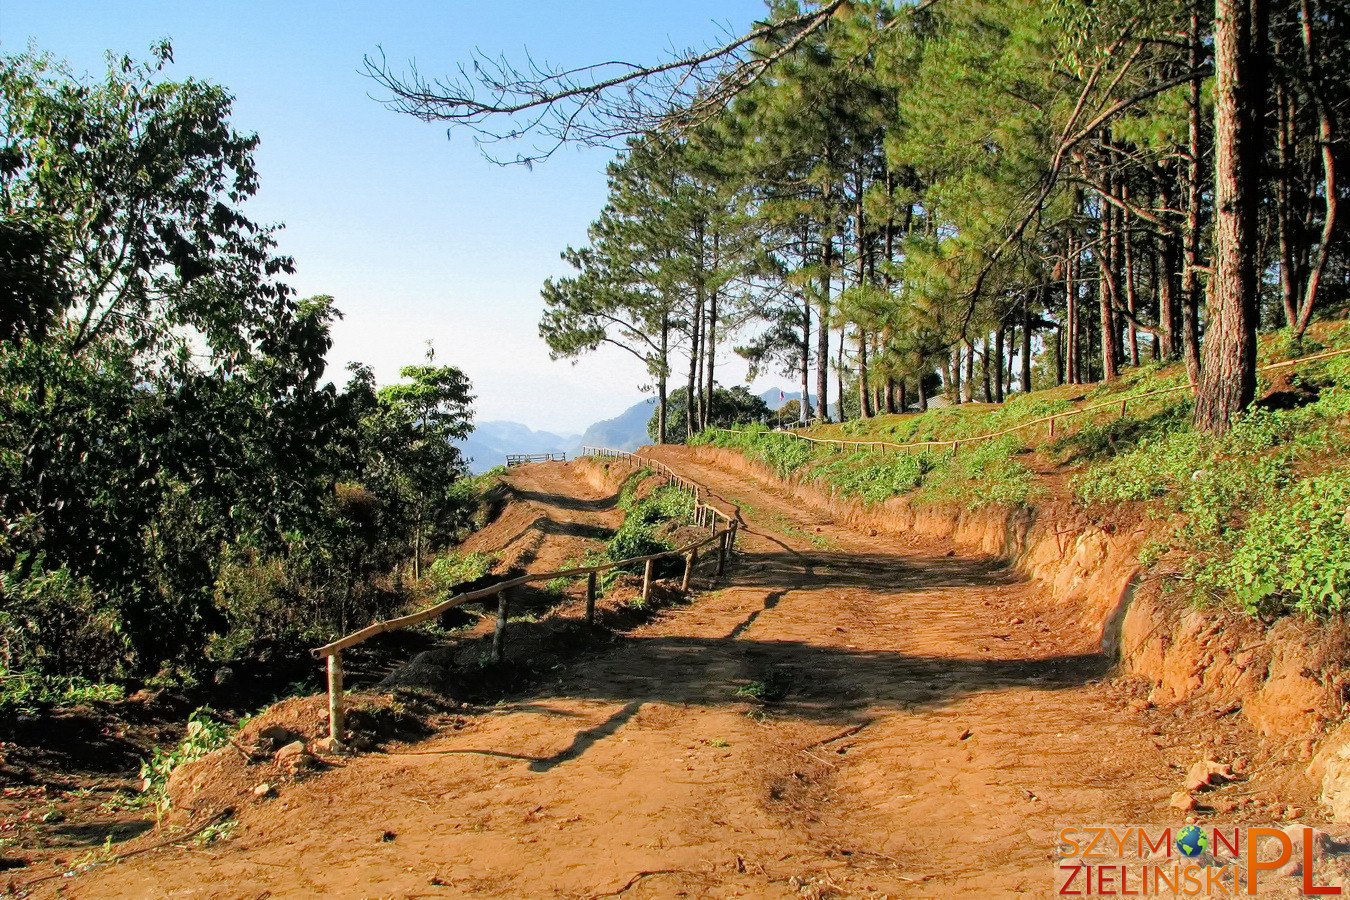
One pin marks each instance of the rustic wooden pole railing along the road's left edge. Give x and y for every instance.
(723, 530)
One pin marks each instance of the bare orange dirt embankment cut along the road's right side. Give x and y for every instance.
(1287, 679)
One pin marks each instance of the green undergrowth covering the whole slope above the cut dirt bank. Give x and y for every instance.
(1259, 519)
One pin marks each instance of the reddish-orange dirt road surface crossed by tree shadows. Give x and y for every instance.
(936, 731)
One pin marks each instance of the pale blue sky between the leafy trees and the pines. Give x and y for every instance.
(416, 237)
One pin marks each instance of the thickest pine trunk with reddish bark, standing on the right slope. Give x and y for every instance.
(1228, 376)
